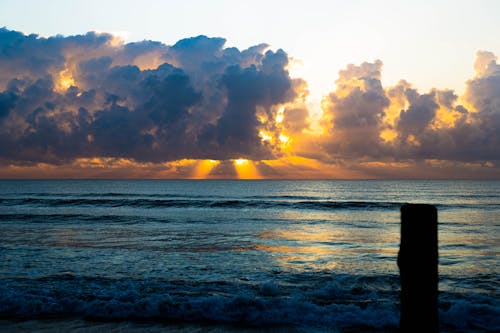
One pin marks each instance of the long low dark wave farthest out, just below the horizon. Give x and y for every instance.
(199, 203)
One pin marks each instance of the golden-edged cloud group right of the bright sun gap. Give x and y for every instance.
(364, 121)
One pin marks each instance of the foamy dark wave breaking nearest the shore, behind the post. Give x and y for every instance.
(361, 303)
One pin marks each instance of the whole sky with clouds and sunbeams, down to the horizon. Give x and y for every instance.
(260, 89)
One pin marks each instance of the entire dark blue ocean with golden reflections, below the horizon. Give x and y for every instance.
(221, 256)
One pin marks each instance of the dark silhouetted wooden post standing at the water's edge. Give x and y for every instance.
(418, 268)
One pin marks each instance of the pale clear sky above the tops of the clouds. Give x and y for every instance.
(430, 43)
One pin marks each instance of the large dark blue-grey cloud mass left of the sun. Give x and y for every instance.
(64, 98)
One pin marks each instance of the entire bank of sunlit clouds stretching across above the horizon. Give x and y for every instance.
(64, 99)
